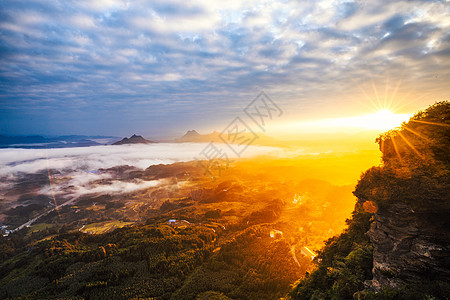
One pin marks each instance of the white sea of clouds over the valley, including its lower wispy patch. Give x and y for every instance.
(80, 166)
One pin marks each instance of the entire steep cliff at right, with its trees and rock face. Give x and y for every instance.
(397, 242)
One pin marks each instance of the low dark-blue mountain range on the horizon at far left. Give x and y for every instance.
(39, 142)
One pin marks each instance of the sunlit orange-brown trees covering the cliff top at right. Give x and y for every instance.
(416, 163)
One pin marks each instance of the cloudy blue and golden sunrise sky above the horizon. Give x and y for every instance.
(159, 68)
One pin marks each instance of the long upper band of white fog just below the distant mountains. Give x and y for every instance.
(86, 159)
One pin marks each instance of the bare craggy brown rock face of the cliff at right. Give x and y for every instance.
(409, 248)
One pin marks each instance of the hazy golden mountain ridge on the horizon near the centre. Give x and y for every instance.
(261, 139)
